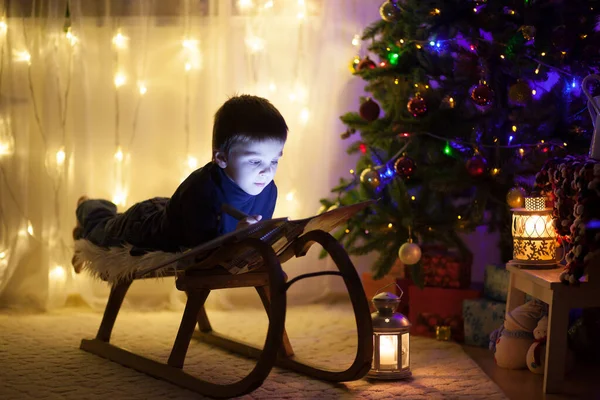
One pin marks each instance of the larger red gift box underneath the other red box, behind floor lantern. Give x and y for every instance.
(433, 306)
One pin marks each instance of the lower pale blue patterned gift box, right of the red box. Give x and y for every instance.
(481, 316)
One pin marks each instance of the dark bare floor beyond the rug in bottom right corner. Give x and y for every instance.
(582, 383)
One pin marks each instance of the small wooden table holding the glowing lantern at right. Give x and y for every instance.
(546, 286)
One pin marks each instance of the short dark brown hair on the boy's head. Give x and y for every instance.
(247, 118)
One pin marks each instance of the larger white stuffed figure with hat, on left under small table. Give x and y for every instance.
(513, 339)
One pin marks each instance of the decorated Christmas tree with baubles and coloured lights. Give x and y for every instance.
(467, 101)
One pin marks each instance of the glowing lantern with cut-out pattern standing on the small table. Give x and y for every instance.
(534, 237)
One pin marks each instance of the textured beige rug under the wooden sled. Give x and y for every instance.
(40, 358)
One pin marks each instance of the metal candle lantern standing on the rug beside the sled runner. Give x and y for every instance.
(391, 340)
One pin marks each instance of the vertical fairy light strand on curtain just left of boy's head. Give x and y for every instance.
(192, 62)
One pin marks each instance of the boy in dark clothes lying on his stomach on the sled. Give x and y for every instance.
(248, 138)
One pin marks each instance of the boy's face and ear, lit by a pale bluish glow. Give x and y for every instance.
(251, 165)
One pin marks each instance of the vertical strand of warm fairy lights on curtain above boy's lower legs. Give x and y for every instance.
(119, 42)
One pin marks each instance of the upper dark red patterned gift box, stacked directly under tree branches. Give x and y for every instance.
(445, 268)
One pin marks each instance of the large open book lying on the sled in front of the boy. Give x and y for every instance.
(231, 253)
